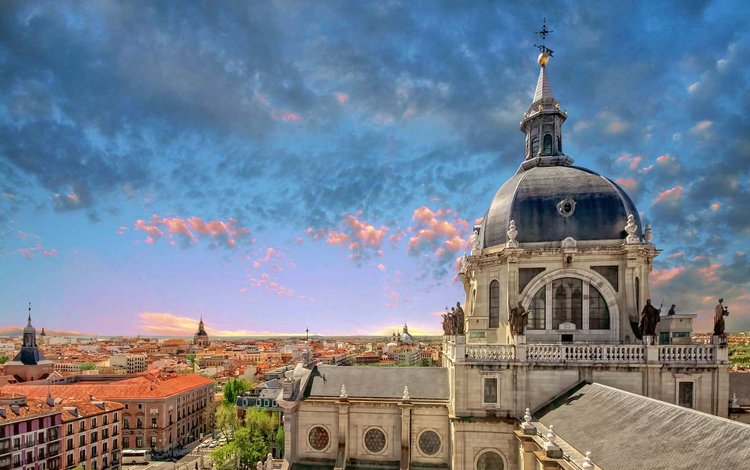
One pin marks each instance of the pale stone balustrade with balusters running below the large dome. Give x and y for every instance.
(585, 353)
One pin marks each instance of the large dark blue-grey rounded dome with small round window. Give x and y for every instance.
(550, 200)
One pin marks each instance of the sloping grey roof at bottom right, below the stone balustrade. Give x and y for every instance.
(627, 431)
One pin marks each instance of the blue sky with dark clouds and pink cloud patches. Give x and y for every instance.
(270, 166)
